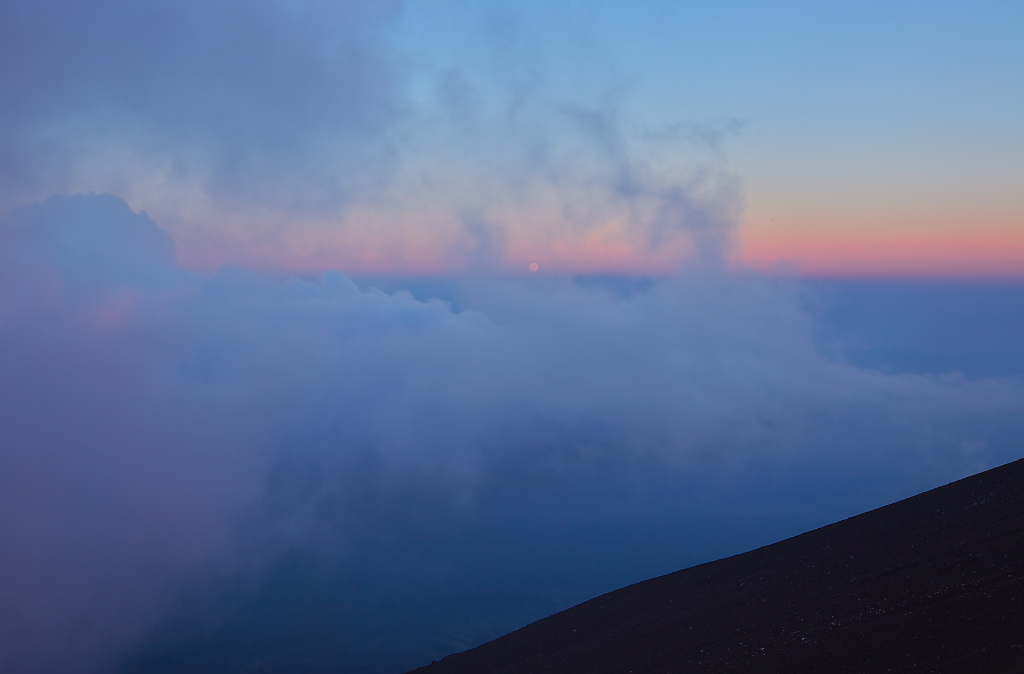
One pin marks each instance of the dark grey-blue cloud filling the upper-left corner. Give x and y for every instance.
(250, 101)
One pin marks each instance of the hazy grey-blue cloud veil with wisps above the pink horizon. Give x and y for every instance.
(309, 136)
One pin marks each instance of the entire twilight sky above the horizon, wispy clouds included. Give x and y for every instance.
(866, 140)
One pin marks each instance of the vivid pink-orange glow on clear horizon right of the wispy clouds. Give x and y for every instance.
(879, 237)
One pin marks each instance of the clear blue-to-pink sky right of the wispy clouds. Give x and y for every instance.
(885, 123)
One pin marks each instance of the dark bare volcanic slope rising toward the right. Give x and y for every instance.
(934, 583)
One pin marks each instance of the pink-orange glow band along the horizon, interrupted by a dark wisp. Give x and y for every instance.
(422, 249)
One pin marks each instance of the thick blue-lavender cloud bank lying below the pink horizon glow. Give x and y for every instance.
(157, 422)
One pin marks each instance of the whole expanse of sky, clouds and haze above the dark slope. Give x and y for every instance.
(282, 389)
